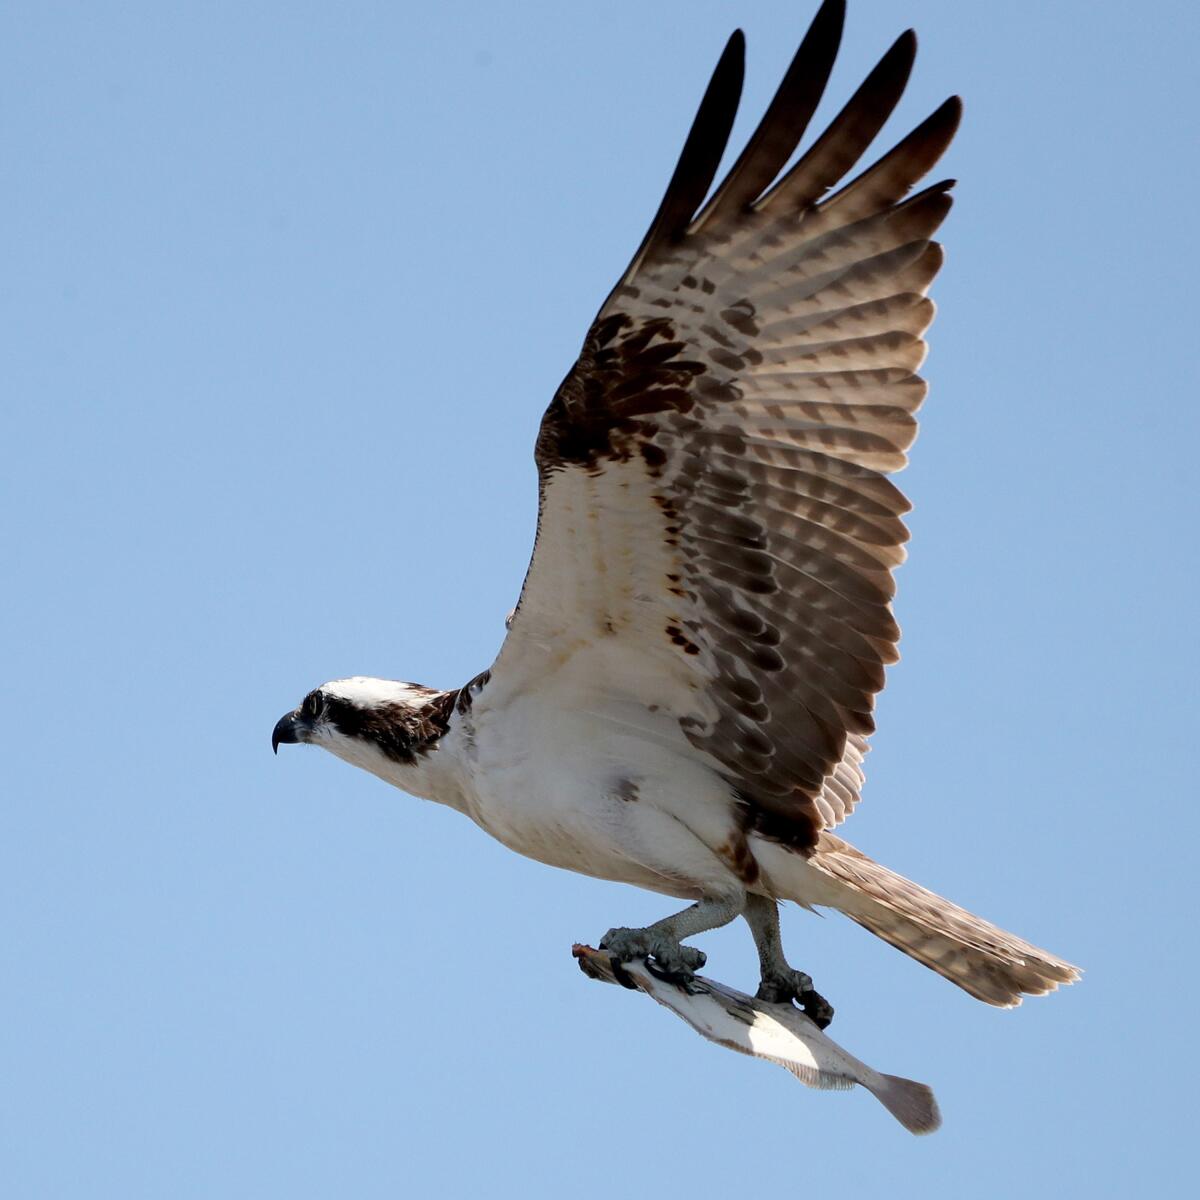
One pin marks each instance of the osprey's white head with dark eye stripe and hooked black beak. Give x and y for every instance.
(376, 724)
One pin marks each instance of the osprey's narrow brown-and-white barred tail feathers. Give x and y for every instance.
(981, 958)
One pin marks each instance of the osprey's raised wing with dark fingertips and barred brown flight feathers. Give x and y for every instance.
(713, 471)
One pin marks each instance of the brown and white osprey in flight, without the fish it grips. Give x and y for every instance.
(685, 695)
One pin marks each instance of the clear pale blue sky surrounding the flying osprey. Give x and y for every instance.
(286, 291)
